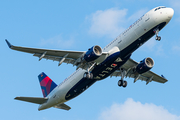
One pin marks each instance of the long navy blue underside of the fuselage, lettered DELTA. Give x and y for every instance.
(112, 63)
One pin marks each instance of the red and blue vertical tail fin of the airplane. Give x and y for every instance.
(47, 85)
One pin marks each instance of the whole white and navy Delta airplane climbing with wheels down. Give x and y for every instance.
(96, 63)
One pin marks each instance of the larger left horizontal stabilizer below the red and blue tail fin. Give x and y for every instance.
(36, 100)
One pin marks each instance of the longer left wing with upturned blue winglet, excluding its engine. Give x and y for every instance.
(69, 57)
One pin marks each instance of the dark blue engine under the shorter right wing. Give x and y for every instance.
(145, 65)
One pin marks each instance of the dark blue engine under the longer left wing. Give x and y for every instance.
(93, 53)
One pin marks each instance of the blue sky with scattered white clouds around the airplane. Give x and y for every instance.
(78, 25)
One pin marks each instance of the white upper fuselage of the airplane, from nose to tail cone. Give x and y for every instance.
(123, 42)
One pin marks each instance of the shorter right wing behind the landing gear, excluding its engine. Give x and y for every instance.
(147, 76)
